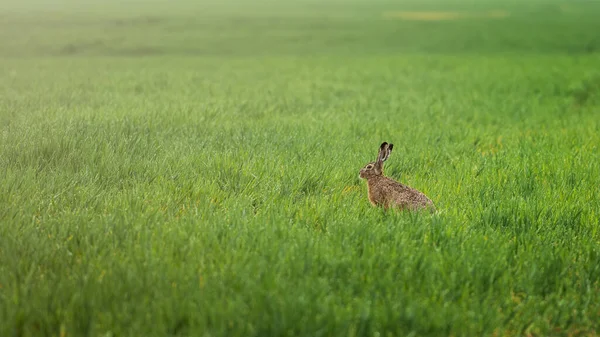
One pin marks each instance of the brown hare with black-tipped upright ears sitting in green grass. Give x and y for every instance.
(387, 192)
